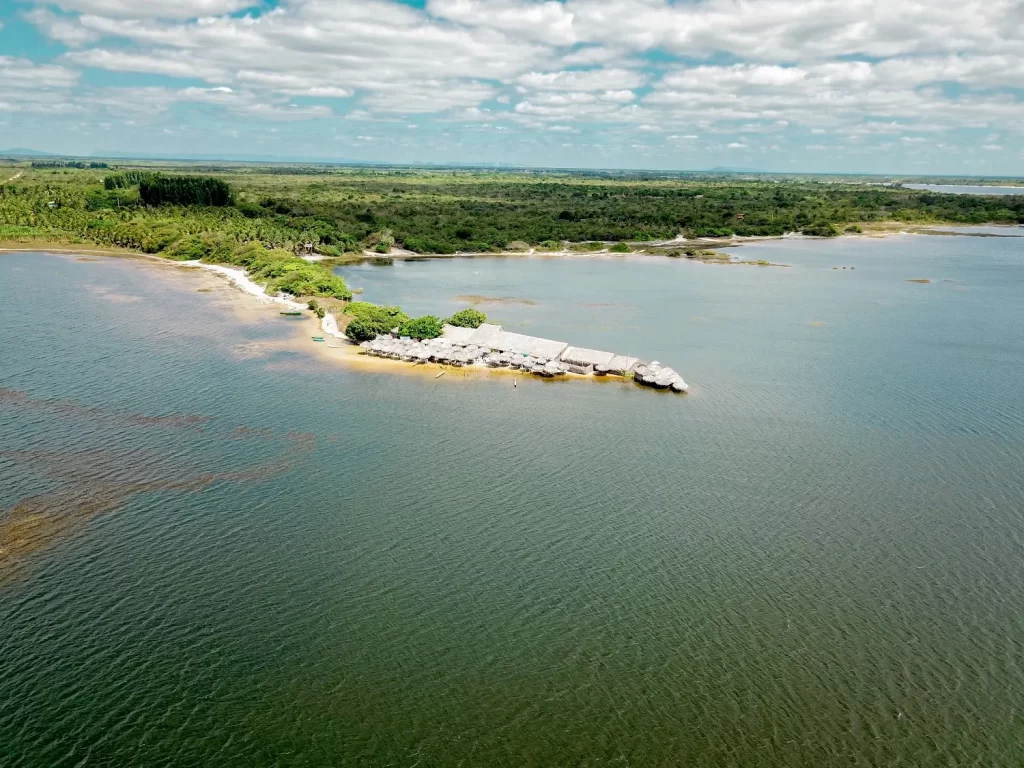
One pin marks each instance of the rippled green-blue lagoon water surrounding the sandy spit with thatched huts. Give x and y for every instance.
(815, 560)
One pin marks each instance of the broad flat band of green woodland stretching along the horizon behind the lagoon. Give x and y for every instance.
(155, 208)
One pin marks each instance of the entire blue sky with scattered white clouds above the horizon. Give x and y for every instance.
(851, 87)
